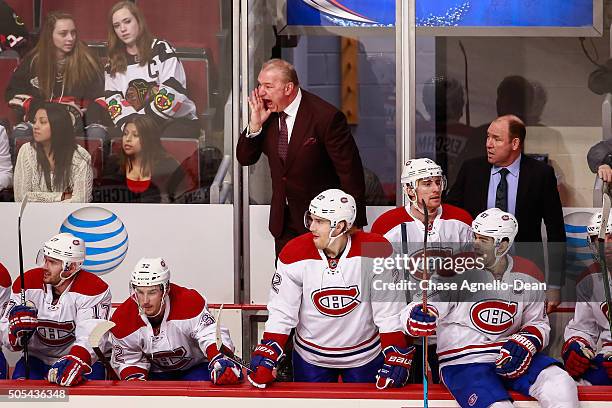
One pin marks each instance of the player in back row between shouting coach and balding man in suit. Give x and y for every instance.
(449, 227)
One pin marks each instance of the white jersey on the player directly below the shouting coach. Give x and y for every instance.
(329, 302)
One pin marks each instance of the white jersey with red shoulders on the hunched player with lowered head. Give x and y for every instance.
(185, 333)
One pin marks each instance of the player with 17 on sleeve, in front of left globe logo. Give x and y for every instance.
(63, 305)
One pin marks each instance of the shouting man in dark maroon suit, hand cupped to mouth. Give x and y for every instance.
(309, 147)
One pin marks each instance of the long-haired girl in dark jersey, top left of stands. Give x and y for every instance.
(62, 69)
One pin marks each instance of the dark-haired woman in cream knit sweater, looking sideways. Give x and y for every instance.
(53, 167)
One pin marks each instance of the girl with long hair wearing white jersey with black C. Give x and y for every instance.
(145, 76)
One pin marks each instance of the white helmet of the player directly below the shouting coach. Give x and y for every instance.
(334, 205)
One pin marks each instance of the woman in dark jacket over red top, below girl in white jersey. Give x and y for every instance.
(143, 171)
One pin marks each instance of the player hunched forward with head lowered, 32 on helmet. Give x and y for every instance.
(165, 332)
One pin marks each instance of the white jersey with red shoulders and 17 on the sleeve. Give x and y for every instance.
(64, 327)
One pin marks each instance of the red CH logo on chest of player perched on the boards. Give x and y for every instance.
(493, 316)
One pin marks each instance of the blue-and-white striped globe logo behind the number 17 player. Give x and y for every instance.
(105, 237)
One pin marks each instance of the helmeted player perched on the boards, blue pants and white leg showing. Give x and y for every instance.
(490, 340)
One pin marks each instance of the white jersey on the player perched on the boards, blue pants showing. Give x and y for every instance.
(472, 327)
